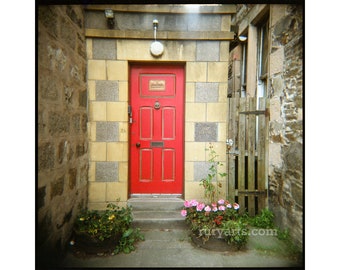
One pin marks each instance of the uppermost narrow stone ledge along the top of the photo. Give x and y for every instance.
(181, 9)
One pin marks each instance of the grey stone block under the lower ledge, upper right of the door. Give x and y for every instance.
(208, 51)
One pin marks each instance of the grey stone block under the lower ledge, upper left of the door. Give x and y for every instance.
(104, 49)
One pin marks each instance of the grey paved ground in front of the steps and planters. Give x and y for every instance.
(174, 248)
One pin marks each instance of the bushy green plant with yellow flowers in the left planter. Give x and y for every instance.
(112, 226)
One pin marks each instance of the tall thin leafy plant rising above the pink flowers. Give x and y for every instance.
(210, 182)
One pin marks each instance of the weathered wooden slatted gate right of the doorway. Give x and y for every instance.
(247, 153)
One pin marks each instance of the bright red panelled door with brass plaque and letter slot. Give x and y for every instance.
(156, 129)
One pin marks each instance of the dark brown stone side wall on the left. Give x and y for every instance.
(62, 156)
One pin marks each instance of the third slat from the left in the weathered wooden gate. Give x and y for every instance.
(251, 154)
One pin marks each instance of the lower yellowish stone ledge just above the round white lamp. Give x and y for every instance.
(161, 35)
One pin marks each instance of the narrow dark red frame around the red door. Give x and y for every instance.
(132, 64)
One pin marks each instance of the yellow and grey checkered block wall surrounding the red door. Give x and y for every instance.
(206, 67)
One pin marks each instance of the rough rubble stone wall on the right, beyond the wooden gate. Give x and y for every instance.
(285, 90)
